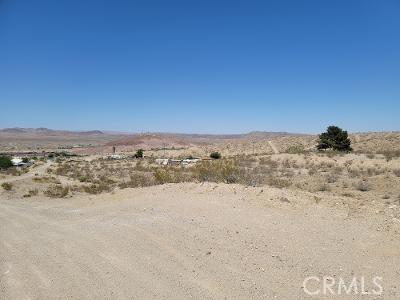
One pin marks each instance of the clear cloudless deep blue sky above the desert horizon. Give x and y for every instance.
(200, 66)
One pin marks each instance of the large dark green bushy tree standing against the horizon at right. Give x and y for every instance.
(334, 138)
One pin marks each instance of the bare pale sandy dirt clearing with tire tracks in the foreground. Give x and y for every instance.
(185, 241)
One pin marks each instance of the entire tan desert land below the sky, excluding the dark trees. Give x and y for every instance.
(88, 218)
